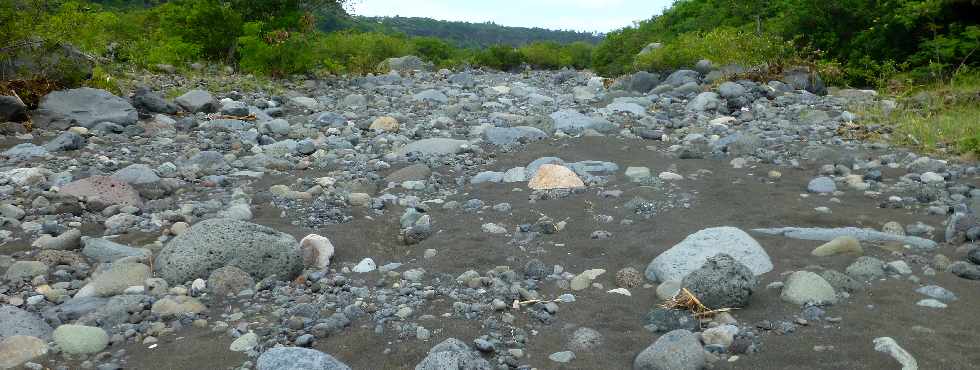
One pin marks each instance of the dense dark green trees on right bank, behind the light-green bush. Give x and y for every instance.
(867, 39)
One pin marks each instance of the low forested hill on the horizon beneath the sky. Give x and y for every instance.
(471, 35)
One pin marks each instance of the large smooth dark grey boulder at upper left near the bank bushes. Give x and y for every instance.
(84, 107)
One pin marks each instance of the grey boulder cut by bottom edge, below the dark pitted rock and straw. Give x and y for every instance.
(676, 350)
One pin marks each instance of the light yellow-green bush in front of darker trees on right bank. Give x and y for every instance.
(722, 46)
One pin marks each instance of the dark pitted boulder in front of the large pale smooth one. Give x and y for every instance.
(722, 282)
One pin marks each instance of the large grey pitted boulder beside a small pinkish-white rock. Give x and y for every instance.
(211, 244)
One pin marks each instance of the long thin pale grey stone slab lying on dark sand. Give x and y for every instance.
(864, 235)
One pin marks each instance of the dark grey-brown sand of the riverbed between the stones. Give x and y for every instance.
(735, 197)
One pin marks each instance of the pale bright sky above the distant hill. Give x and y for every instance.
(578, 15)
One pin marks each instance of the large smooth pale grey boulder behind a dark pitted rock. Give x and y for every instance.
(691, 253)
